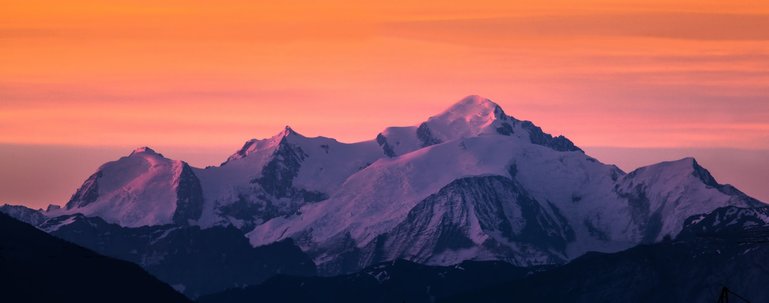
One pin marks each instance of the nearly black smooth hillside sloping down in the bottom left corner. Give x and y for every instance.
(37, 267)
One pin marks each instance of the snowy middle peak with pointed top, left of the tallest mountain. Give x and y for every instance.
(276, 176)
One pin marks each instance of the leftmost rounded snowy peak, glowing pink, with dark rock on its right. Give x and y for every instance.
(143, 188)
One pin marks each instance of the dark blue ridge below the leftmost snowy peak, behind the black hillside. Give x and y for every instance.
(194, 261)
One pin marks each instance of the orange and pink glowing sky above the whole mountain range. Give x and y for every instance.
(205, 75)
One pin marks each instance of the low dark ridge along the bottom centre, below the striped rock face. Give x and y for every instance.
(397, 281)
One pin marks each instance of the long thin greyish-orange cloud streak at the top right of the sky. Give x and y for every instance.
(508, 30)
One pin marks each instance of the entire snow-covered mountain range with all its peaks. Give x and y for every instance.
(471, 183)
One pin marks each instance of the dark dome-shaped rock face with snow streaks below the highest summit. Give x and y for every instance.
(478, 216)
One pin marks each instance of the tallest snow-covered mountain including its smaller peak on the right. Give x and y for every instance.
(474, 183)
